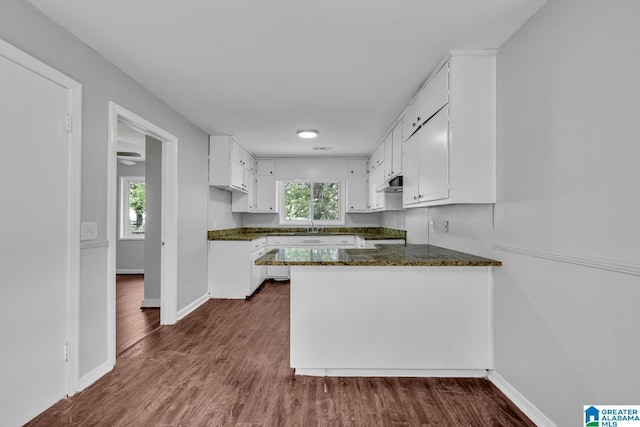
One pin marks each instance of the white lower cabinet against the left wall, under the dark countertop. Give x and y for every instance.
(232, 272)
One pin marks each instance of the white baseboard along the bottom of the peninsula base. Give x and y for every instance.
(451, 373)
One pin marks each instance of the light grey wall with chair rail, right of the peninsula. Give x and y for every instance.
(566, 327)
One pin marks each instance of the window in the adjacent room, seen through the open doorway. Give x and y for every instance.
(132, 207)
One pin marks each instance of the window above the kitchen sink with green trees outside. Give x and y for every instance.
(305, 201)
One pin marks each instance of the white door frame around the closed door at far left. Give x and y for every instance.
(74, 129)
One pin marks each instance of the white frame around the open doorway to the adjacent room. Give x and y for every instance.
(169, 217)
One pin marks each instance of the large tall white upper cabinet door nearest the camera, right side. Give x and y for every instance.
(434, 158)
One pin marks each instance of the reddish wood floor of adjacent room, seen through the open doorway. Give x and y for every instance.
(132, 322)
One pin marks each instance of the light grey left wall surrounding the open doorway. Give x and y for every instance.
(27, 29)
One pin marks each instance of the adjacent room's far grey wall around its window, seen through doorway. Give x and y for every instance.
(129, 253)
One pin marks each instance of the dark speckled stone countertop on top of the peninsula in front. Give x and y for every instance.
(384, 255)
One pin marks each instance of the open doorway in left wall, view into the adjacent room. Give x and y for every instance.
(139, 165)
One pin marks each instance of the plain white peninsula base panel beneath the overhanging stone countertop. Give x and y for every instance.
(391, 321)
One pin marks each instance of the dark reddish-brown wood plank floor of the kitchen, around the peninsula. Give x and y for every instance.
(227, 364)
